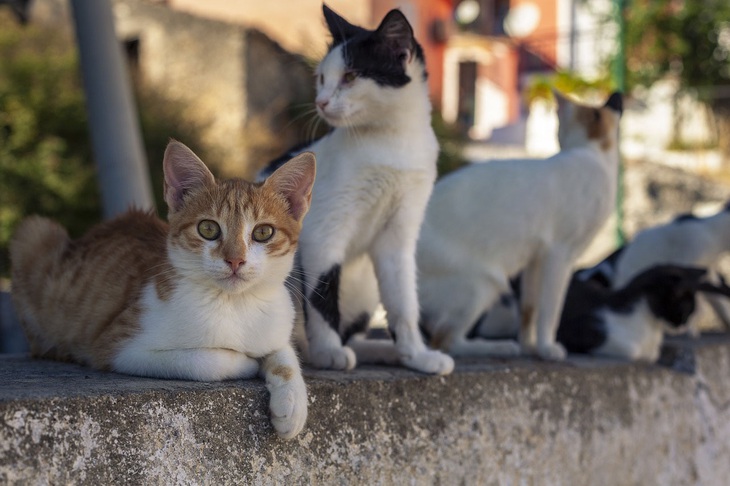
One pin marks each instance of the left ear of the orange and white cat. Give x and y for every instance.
(183, 171)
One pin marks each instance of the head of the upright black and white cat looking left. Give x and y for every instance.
(361, 79)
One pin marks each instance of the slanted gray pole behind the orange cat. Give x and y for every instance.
(122, 168)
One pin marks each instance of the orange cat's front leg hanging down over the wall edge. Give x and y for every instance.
(288, 402)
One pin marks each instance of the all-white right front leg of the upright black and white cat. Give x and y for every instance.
(394, 256)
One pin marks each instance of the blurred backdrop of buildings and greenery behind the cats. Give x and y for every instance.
(232, 79)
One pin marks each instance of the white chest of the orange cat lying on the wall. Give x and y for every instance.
(190, 318)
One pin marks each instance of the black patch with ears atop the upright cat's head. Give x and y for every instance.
(379, 55)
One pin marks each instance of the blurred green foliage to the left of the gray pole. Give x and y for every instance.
(45, 157)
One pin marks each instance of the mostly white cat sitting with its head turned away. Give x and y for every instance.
(488, 222)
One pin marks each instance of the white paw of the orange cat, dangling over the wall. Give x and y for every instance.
(288, 406)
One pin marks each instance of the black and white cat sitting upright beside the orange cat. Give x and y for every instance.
(375, 174)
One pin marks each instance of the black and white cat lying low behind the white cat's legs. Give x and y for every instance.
(627, 323)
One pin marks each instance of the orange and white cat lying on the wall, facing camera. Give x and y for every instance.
(201, 298)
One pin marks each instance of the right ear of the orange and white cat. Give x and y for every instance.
(295, 180)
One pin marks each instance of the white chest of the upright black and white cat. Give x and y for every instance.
(362, 180)
